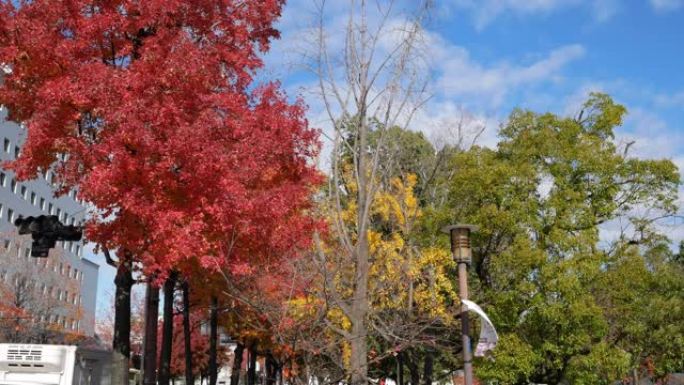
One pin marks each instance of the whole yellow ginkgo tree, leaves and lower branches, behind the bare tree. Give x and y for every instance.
(409, 289)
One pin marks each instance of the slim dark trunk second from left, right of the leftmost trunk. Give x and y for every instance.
(151, 317)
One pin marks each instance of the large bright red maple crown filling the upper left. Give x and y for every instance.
(148, 110)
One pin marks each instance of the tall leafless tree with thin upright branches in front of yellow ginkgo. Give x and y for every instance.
(374, 82)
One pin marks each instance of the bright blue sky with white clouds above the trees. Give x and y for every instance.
(490, 56)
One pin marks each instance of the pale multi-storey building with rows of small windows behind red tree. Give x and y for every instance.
(77, 276)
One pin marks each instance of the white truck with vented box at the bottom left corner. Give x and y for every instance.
(28, 364)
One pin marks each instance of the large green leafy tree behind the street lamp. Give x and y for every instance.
(563, 304)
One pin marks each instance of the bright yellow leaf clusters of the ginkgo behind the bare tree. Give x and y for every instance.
(402, 277)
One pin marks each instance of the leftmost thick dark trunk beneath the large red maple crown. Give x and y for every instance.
(122, 322)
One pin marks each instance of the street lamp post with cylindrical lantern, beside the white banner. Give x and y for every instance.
(462, 254)
